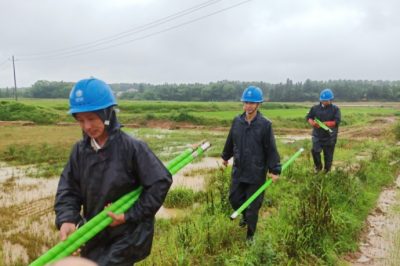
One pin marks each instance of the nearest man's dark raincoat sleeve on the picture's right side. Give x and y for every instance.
(155, 180)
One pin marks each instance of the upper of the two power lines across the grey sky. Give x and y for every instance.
(124, 34)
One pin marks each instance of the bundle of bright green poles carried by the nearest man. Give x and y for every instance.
(102, 220)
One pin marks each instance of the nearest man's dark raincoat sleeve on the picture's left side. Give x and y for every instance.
(68, 200)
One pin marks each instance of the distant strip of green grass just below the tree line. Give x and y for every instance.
(209, 114)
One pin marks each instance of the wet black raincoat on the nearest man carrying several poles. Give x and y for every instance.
(94, 179)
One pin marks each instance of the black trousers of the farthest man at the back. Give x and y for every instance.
(328, 150)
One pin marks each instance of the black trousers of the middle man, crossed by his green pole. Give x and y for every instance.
(239, 193)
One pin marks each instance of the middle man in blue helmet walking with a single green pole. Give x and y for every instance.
(251, 143)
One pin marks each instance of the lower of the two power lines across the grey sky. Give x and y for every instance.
(71, 54)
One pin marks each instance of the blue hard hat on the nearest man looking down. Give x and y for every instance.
(90, 95)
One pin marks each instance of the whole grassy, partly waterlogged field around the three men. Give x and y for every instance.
(306, 219)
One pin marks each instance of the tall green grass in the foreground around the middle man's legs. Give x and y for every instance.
(307, 219)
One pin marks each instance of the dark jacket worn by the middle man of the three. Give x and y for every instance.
(253, 149)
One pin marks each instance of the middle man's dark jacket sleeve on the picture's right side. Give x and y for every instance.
(272, 158)
